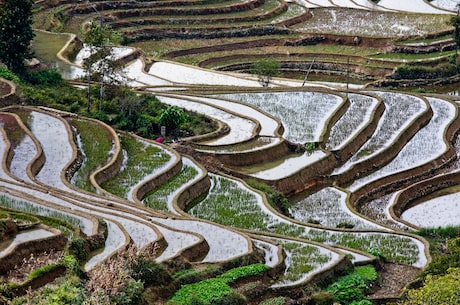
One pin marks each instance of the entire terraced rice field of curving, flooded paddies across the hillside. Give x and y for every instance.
(351, 162)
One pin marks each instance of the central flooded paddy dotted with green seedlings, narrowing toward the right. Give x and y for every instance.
(232, 204)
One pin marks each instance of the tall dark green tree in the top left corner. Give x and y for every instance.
(15, 33)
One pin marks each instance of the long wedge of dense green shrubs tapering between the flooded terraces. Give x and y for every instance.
(121, 108)
